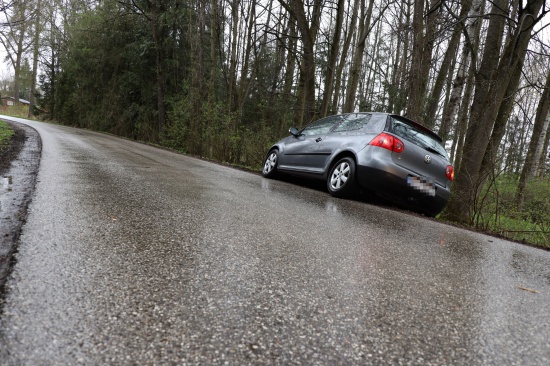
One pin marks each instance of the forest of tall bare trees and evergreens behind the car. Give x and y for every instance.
(222, 79)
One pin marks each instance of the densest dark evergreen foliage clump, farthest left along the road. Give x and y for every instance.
(108, 77)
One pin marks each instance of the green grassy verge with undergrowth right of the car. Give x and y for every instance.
(499, 213)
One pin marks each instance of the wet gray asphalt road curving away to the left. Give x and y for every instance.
(135, 255)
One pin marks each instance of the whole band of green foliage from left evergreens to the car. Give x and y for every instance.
(107, 81)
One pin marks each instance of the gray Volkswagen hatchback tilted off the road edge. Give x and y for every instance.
(385, 153)
